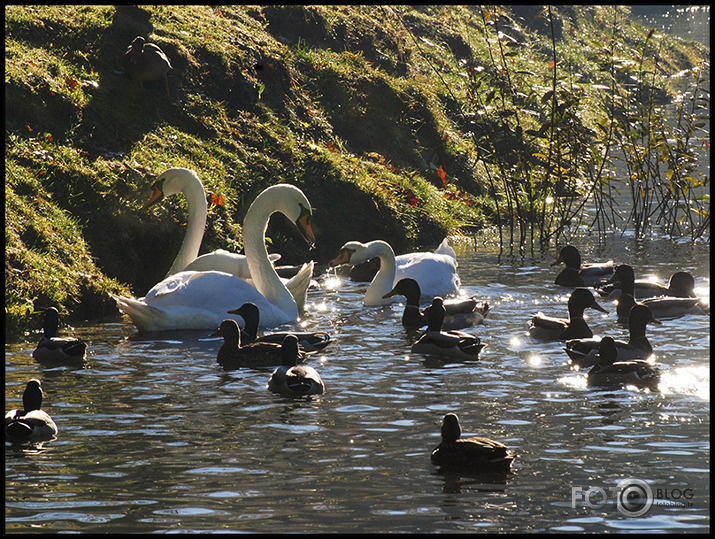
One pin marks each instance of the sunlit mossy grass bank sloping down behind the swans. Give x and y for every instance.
(363, 107)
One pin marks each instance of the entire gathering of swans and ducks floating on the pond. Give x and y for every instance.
(236, 294)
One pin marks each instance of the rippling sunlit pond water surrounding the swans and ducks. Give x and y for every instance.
(155, 436)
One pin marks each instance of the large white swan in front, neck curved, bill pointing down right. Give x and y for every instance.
(202, 299)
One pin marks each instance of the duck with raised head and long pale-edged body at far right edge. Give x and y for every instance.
(662, 307)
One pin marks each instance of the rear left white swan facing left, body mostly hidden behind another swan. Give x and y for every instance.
(182, 180)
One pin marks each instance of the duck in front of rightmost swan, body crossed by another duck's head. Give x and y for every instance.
(459, 313)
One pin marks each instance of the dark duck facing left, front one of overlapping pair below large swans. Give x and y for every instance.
(234, 355)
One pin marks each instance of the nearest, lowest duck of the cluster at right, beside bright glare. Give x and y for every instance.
(610, 372)
